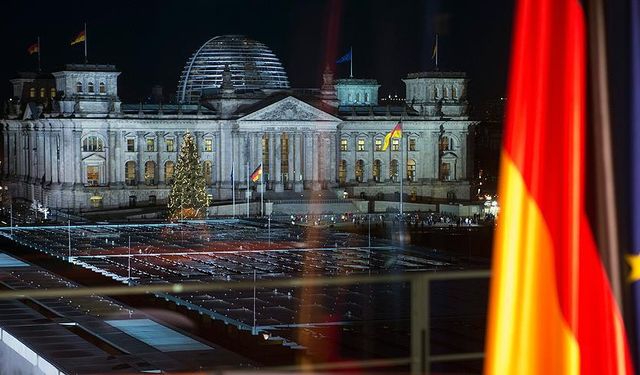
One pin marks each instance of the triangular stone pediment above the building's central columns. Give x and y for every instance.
(289, 109)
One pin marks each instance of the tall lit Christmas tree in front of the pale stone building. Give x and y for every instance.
(188, 196)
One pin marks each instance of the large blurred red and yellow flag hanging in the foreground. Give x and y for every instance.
(551, 307)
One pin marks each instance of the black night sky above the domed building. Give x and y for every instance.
(151, 41)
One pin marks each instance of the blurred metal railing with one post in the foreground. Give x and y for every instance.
(420, 359)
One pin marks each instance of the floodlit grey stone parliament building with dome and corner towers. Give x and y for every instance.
(83, 148)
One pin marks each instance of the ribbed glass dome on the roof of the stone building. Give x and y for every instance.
(252, 64)
